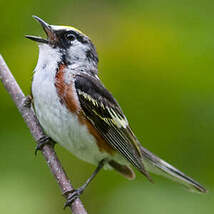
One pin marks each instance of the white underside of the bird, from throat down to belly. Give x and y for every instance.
(58, 123)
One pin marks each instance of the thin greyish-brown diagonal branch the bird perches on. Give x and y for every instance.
(48, 152)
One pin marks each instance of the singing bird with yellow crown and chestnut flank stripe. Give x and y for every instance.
(76, 110)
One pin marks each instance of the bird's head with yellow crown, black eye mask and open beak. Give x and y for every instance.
(71, 45)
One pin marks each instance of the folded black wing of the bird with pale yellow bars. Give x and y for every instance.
(107, 117)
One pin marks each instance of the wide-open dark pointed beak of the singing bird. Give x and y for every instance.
(51, 37)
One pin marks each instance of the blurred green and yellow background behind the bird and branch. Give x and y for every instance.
(157, 58)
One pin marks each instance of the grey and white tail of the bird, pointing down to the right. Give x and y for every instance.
(158, 166)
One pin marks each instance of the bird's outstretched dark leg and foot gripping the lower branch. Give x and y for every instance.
(76, 193)
